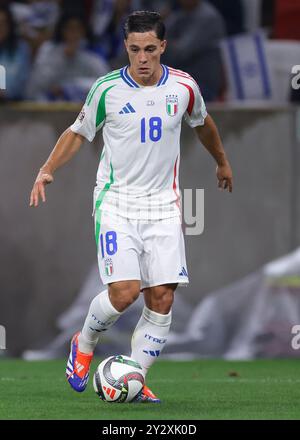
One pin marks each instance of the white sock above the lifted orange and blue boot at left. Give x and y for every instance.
(100, 317)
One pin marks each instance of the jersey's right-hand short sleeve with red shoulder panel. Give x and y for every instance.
(196, 110)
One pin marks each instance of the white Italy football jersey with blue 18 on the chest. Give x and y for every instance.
(139, 166)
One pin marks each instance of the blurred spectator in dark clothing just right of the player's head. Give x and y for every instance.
(194, 33)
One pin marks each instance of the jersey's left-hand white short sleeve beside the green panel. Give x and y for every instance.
(86, 122)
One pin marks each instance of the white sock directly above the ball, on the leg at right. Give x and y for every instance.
(150, 337)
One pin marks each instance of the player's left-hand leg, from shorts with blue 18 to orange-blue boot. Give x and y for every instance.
(119, 269)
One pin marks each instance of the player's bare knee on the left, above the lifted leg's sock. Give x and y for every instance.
(123, 294)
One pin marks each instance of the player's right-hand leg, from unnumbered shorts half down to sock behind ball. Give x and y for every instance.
(163, 267)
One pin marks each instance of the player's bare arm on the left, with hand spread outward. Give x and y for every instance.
(67, 145)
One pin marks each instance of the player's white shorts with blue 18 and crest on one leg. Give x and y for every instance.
(153, 253)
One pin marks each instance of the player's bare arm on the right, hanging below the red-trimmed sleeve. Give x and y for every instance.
(208, 135)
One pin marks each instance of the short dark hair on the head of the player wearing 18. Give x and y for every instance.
(144, 21)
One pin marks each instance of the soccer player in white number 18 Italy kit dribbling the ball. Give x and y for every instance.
(137, 212)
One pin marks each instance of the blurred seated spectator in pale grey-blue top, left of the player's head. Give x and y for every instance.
(65, 69)
